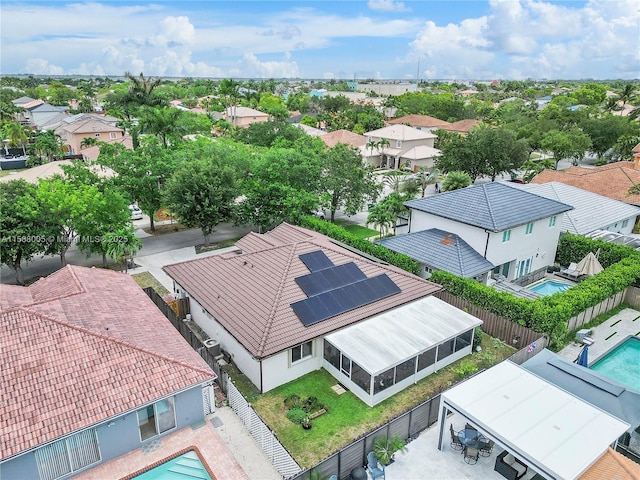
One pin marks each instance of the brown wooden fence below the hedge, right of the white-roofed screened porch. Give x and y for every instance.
(509, 332)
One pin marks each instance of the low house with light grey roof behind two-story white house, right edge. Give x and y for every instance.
(590, 210)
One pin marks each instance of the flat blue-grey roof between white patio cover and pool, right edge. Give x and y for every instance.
(587, 384)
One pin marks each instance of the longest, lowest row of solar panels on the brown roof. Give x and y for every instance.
(340, 300)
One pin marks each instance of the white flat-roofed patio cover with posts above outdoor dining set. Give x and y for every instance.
(549, 430)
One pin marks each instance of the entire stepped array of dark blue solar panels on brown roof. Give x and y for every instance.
(335, 289)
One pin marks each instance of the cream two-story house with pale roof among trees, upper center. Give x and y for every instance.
(399, 146)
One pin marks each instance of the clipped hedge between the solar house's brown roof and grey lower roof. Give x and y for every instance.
(340, 234)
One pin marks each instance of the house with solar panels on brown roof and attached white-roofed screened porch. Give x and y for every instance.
(292, 301)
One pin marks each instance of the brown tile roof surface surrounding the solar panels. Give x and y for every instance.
(250, 294)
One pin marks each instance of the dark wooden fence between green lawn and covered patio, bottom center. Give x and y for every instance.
(407, 426)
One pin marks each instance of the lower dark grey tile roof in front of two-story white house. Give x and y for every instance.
(440, 250)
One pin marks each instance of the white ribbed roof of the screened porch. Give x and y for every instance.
(400, 334)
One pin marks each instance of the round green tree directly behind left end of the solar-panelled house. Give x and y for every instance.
(202, 193)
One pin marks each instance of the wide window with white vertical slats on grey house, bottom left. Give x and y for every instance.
(68, 455)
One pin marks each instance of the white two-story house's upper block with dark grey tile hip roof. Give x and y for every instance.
(515, 230)
